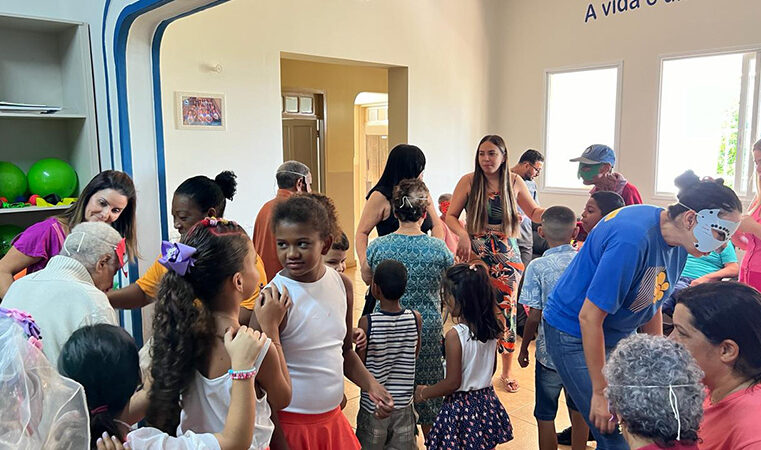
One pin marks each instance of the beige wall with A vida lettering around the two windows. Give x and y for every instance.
(549, 34)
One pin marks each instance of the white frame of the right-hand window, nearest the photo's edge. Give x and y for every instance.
(754, 122)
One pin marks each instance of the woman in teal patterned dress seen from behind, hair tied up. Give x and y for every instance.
(425, 259)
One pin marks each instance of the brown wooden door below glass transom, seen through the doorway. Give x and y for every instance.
(301, 142)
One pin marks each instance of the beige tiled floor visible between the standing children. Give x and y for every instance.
(519, 406)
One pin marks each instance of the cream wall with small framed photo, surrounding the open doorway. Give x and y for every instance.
(443, 42)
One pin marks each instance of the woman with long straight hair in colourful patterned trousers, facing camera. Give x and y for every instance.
(490, 195)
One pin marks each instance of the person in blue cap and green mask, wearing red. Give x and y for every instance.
(596, 168)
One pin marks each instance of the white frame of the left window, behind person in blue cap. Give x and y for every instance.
(619, 66)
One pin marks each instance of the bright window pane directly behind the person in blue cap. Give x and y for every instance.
(582, 109)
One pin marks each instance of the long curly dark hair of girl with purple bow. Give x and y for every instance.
(183, 325)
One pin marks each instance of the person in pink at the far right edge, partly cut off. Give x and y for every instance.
(748, 237)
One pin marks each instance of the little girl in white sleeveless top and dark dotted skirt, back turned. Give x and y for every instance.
(472, 415)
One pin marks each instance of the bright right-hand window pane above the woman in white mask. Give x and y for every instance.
(708, 119)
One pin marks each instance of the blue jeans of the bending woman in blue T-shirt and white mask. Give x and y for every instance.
(567, 353)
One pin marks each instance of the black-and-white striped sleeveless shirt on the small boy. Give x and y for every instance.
(391, 343)
